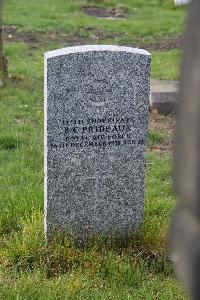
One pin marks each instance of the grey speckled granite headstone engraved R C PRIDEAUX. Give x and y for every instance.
(96, 119)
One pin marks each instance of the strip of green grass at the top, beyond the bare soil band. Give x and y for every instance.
(146, 18)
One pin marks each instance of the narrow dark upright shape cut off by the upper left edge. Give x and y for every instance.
(3, 60)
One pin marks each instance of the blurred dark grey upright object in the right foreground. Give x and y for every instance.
(185, 228)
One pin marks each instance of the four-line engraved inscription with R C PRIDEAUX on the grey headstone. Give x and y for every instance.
(97, 132)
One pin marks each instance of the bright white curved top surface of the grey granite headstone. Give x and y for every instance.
(93, 48)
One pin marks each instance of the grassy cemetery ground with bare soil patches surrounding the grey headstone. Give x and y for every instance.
(136, 268)
